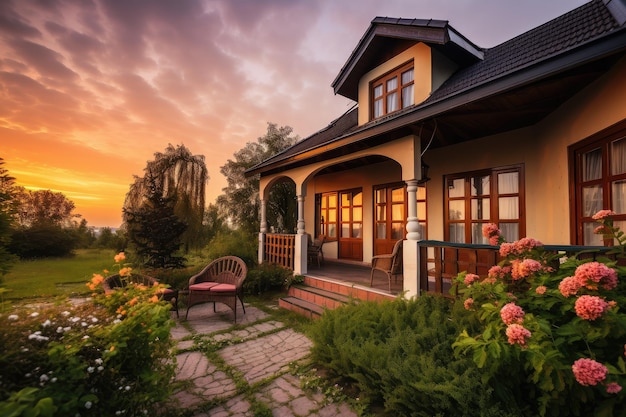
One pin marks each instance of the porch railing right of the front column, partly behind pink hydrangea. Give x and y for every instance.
(440, 262)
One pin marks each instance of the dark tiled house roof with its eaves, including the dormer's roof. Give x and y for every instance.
(556, 58)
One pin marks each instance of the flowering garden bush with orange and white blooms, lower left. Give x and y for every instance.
(107, 356)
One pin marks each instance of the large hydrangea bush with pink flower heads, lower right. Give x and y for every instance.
(551, 332)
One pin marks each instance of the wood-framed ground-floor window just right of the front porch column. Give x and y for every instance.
(491, 196)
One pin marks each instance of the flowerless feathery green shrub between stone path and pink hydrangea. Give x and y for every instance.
(399, 354)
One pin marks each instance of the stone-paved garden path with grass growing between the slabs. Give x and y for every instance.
(244, 370)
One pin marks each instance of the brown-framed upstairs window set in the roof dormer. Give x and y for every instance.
(393, 91)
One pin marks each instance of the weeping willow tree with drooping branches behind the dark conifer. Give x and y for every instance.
(179, 177)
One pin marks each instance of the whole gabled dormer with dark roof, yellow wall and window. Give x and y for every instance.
(399, 62)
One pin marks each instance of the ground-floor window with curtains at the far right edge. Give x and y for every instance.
(598, 166)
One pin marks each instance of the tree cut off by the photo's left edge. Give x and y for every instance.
(7, 211)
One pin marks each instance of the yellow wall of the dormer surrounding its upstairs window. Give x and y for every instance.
(421, 56)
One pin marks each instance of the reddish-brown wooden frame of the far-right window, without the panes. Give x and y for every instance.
(601, 140)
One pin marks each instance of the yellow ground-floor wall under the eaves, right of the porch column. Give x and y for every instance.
(543, 151)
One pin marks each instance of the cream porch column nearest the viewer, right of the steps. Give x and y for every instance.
(410, 260)
